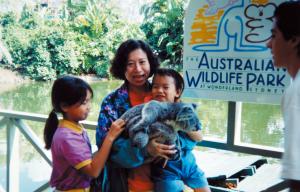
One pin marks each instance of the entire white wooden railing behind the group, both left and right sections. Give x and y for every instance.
(14, 122)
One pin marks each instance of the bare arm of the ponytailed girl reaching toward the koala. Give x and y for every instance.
(95, 167)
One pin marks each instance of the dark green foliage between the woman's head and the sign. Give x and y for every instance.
(163, 27)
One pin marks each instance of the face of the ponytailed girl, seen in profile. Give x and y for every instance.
(78, 111)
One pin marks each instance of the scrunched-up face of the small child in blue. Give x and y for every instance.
(163, 89)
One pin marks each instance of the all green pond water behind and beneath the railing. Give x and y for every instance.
(261, 124)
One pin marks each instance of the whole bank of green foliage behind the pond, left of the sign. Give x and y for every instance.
(83, 38)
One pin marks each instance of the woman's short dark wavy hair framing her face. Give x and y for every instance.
(119, 63)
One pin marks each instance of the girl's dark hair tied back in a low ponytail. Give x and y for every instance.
(66, 91)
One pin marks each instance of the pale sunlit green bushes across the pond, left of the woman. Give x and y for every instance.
(81, 40)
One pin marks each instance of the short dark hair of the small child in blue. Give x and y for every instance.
(179, 82)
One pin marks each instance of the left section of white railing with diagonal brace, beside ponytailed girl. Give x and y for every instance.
(14, 122)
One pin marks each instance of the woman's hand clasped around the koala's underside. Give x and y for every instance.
(156, 149)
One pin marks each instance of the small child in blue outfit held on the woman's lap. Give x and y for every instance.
(168, 86)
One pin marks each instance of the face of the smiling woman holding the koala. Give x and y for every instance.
(138, 68)
